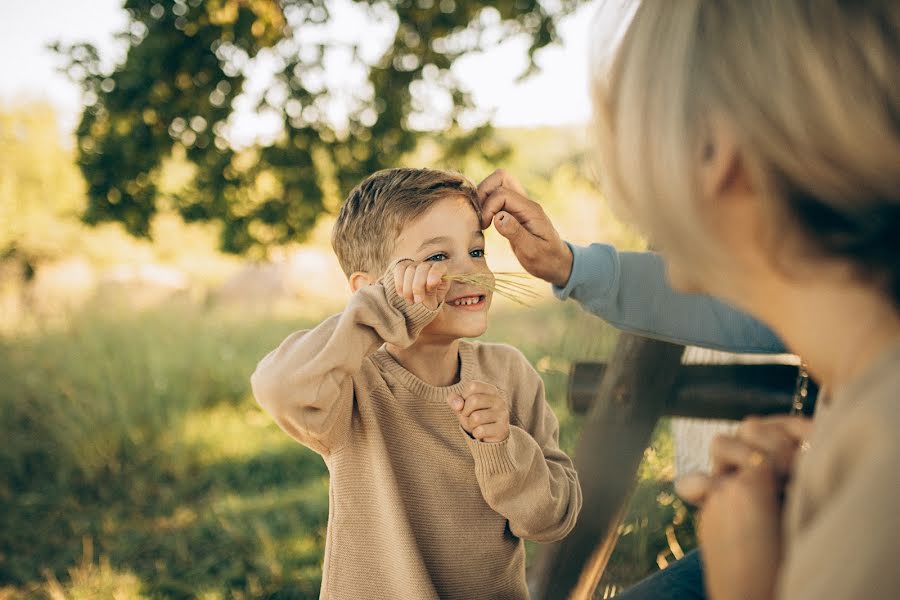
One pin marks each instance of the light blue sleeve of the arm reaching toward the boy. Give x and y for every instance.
(629, 291)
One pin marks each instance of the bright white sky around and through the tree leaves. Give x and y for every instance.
(556, 96)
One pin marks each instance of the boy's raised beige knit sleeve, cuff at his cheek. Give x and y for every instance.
(307, 382)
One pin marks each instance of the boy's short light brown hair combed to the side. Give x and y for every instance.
(379, 207)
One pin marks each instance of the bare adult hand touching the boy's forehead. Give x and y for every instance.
(523, 222)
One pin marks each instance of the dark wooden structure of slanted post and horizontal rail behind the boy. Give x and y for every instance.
(623, 400)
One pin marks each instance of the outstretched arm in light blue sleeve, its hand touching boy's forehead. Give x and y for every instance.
(629, 290)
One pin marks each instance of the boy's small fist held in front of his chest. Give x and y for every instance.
(482, 411)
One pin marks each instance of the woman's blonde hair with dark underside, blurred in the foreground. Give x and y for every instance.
(810, 89)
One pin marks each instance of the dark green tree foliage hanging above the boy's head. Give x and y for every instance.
(187, 61)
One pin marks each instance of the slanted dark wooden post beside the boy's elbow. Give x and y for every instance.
(611, 446)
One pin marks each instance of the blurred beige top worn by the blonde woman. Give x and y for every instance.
(842, 520)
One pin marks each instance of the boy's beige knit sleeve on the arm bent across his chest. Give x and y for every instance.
(527, 478)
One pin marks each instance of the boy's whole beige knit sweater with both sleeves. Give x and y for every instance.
(418, 509)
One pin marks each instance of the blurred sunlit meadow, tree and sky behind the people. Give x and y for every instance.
(169, 175)
